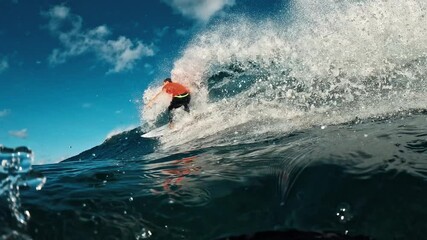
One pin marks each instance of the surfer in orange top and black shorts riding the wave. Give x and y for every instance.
(180, 96)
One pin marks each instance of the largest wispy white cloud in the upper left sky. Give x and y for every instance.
(121, 54)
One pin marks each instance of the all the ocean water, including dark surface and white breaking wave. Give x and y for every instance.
(308, 124)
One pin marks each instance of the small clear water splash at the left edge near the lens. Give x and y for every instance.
(16, 172)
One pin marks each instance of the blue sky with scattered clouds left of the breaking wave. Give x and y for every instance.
(72, 72)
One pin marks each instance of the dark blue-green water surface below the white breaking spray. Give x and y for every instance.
(365, 178)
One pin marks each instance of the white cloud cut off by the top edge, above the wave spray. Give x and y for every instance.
(199, 9)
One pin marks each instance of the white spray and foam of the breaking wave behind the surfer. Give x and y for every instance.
(319, 63)
